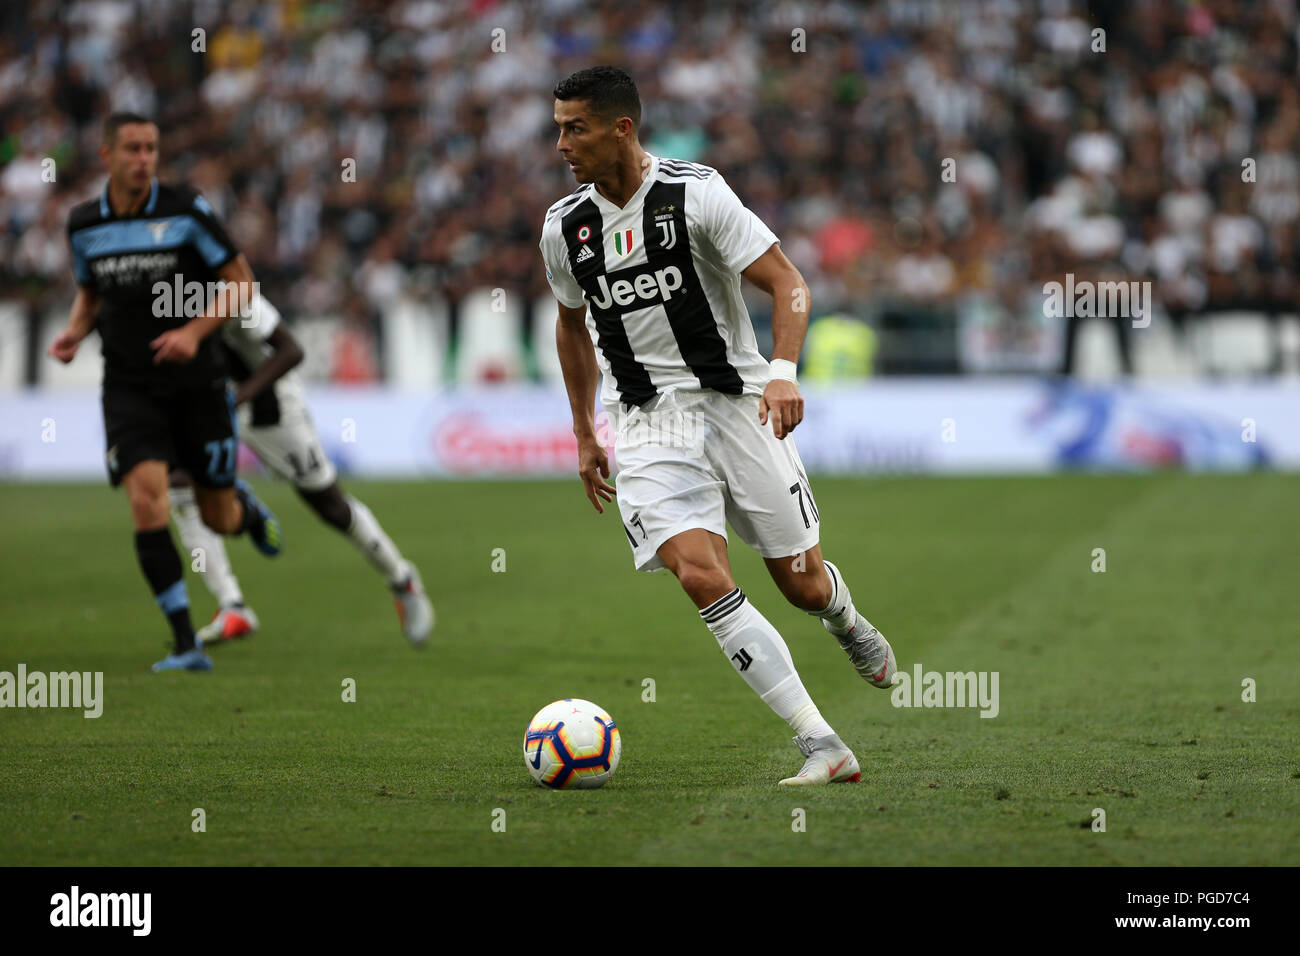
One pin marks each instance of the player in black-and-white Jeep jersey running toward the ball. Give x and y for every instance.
(645, 259)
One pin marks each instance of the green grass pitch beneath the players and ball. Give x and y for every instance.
(1121, 691)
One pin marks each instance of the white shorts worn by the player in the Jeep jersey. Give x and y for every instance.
(699, 460)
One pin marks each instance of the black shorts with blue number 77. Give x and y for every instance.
(188, 429)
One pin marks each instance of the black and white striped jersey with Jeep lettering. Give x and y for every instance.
(661, 279)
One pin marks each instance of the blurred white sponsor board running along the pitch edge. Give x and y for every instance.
(915, 426)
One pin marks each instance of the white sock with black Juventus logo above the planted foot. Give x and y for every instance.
(761, 657)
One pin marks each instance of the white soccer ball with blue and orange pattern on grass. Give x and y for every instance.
(573, 745)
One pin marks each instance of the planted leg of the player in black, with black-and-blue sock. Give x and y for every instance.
(146, 490)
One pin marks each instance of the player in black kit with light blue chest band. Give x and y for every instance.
(166, 392)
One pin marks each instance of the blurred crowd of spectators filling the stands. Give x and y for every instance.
(905, 152)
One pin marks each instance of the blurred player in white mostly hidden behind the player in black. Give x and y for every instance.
(276, 423)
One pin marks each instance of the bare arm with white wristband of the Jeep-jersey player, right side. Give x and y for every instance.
(777, 276)
